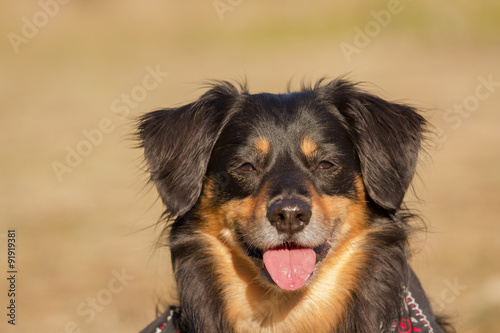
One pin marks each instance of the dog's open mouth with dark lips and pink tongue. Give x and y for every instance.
(290, 266)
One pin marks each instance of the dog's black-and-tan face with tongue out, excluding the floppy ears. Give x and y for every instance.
(284, 176)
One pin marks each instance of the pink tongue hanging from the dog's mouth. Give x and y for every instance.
(290, 268)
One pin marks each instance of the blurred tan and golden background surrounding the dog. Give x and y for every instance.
(75, 74)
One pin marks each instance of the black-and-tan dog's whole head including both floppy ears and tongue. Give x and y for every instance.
(283, 180)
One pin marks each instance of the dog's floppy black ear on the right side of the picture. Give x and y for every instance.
(387, 138)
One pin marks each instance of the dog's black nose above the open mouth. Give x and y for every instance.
(289, 215)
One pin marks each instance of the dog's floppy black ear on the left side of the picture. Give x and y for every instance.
(178, 143)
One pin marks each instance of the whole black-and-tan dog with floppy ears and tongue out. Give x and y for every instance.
(287, 210)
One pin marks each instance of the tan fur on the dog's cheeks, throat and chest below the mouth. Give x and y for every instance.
(318, 307)
